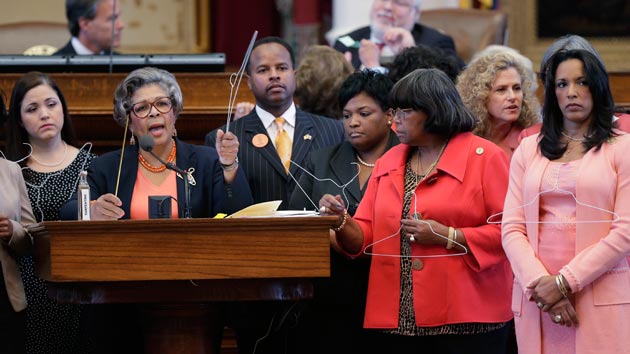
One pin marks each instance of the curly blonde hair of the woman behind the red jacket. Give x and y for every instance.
(475, 82)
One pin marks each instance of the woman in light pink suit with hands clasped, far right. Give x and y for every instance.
(566, 221)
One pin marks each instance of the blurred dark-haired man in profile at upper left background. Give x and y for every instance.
(90, 23)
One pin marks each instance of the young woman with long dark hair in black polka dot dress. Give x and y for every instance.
(40, 137)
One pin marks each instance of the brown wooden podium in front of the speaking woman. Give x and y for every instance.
(180, 269)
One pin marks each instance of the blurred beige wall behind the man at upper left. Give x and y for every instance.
(153, 26)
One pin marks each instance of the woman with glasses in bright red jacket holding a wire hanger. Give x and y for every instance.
(439, 280)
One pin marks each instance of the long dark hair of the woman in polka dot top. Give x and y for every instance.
(16, 133)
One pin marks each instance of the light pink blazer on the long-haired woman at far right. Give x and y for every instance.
(599, 271)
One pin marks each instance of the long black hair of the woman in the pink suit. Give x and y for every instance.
(601, 126)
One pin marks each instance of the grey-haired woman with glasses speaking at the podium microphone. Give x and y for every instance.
(148, 102)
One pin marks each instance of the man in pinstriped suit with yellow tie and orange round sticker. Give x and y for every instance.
(272, 81)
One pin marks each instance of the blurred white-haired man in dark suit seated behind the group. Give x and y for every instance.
(393, 27)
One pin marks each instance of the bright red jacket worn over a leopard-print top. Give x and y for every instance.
(469, 186)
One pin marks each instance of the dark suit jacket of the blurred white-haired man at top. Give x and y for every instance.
(421, 34)
